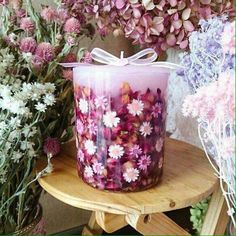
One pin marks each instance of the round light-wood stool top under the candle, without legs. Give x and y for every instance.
(187, 179)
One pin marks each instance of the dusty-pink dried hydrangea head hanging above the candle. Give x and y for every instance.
(158, 24)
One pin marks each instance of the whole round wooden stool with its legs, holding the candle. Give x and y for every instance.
(187, 179)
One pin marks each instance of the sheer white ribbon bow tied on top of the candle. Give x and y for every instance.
(100, 55)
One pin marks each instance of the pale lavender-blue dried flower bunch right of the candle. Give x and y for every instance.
(207, 57)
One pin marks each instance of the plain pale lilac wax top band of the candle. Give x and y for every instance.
(110, 78)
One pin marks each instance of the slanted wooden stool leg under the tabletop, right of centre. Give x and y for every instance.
(155, 224)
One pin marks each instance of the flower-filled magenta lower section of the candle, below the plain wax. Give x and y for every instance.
(120, 140)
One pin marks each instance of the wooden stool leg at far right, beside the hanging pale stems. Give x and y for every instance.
(216, 219)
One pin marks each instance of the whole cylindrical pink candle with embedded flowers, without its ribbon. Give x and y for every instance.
(120, 124)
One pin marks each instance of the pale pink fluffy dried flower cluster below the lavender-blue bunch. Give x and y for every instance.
(215, 100)
